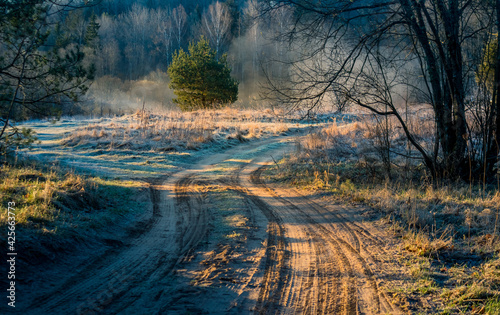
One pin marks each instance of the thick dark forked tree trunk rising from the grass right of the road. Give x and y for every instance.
(446, 82)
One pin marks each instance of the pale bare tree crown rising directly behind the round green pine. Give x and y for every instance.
(217, 21)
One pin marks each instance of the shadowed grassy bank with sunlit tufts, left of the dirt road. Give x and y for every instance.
(57, 210)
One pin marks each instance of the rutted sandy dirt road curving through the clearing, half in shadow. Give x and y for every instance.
(293, 255)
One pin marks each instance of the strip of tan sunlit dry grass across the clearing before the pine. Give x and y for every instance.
(177, 131)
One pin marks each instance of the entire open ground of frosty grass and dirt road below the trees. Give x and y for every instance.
(244, 211)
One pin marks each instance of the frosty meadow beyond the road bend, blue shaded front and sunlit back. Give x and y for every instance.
(149, 144)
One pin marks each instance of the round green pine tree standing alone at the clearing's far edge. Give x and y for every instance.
(200, 80)
